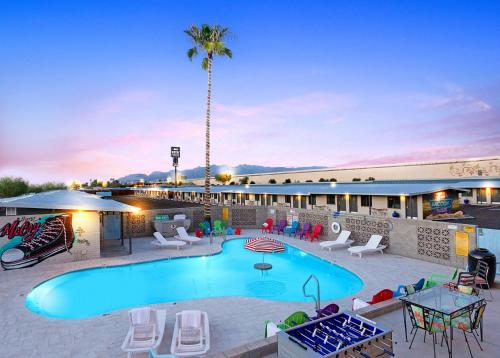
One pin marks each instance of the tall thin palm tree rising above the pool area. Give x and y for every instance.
(209, 40)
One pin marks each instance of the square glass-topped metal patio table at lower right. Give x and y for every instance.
(443, 300)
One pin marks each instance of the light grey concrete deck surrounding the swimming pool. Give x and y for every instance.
(234, 321)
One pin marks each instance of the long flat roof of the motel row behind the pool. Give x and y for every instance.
(380, 188)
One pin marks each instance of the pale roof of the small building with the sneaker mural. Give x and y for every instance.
(66, 200)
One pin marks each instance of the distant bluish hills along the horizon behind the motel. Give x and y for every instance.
(199, 172)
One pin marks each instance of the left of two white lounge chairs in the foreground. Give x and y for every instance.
(146, 330)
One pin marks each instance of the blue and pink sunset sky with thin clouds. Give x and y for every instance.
(100, 89)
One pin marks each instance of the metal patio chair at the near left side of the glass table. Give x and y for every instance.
(431, 322)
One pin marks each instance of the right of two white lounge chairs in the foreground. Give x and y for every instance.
(191, 334)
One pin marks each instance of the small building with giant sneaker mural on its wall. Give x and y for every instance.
(90, 224)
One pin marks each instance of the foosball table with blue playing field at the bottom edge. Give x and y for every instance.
(341, 335)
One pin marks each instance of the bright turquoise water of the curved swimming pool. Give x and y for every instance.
(91, 292)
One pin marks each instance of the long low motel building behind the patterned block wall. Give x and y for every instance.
(415, 199)
